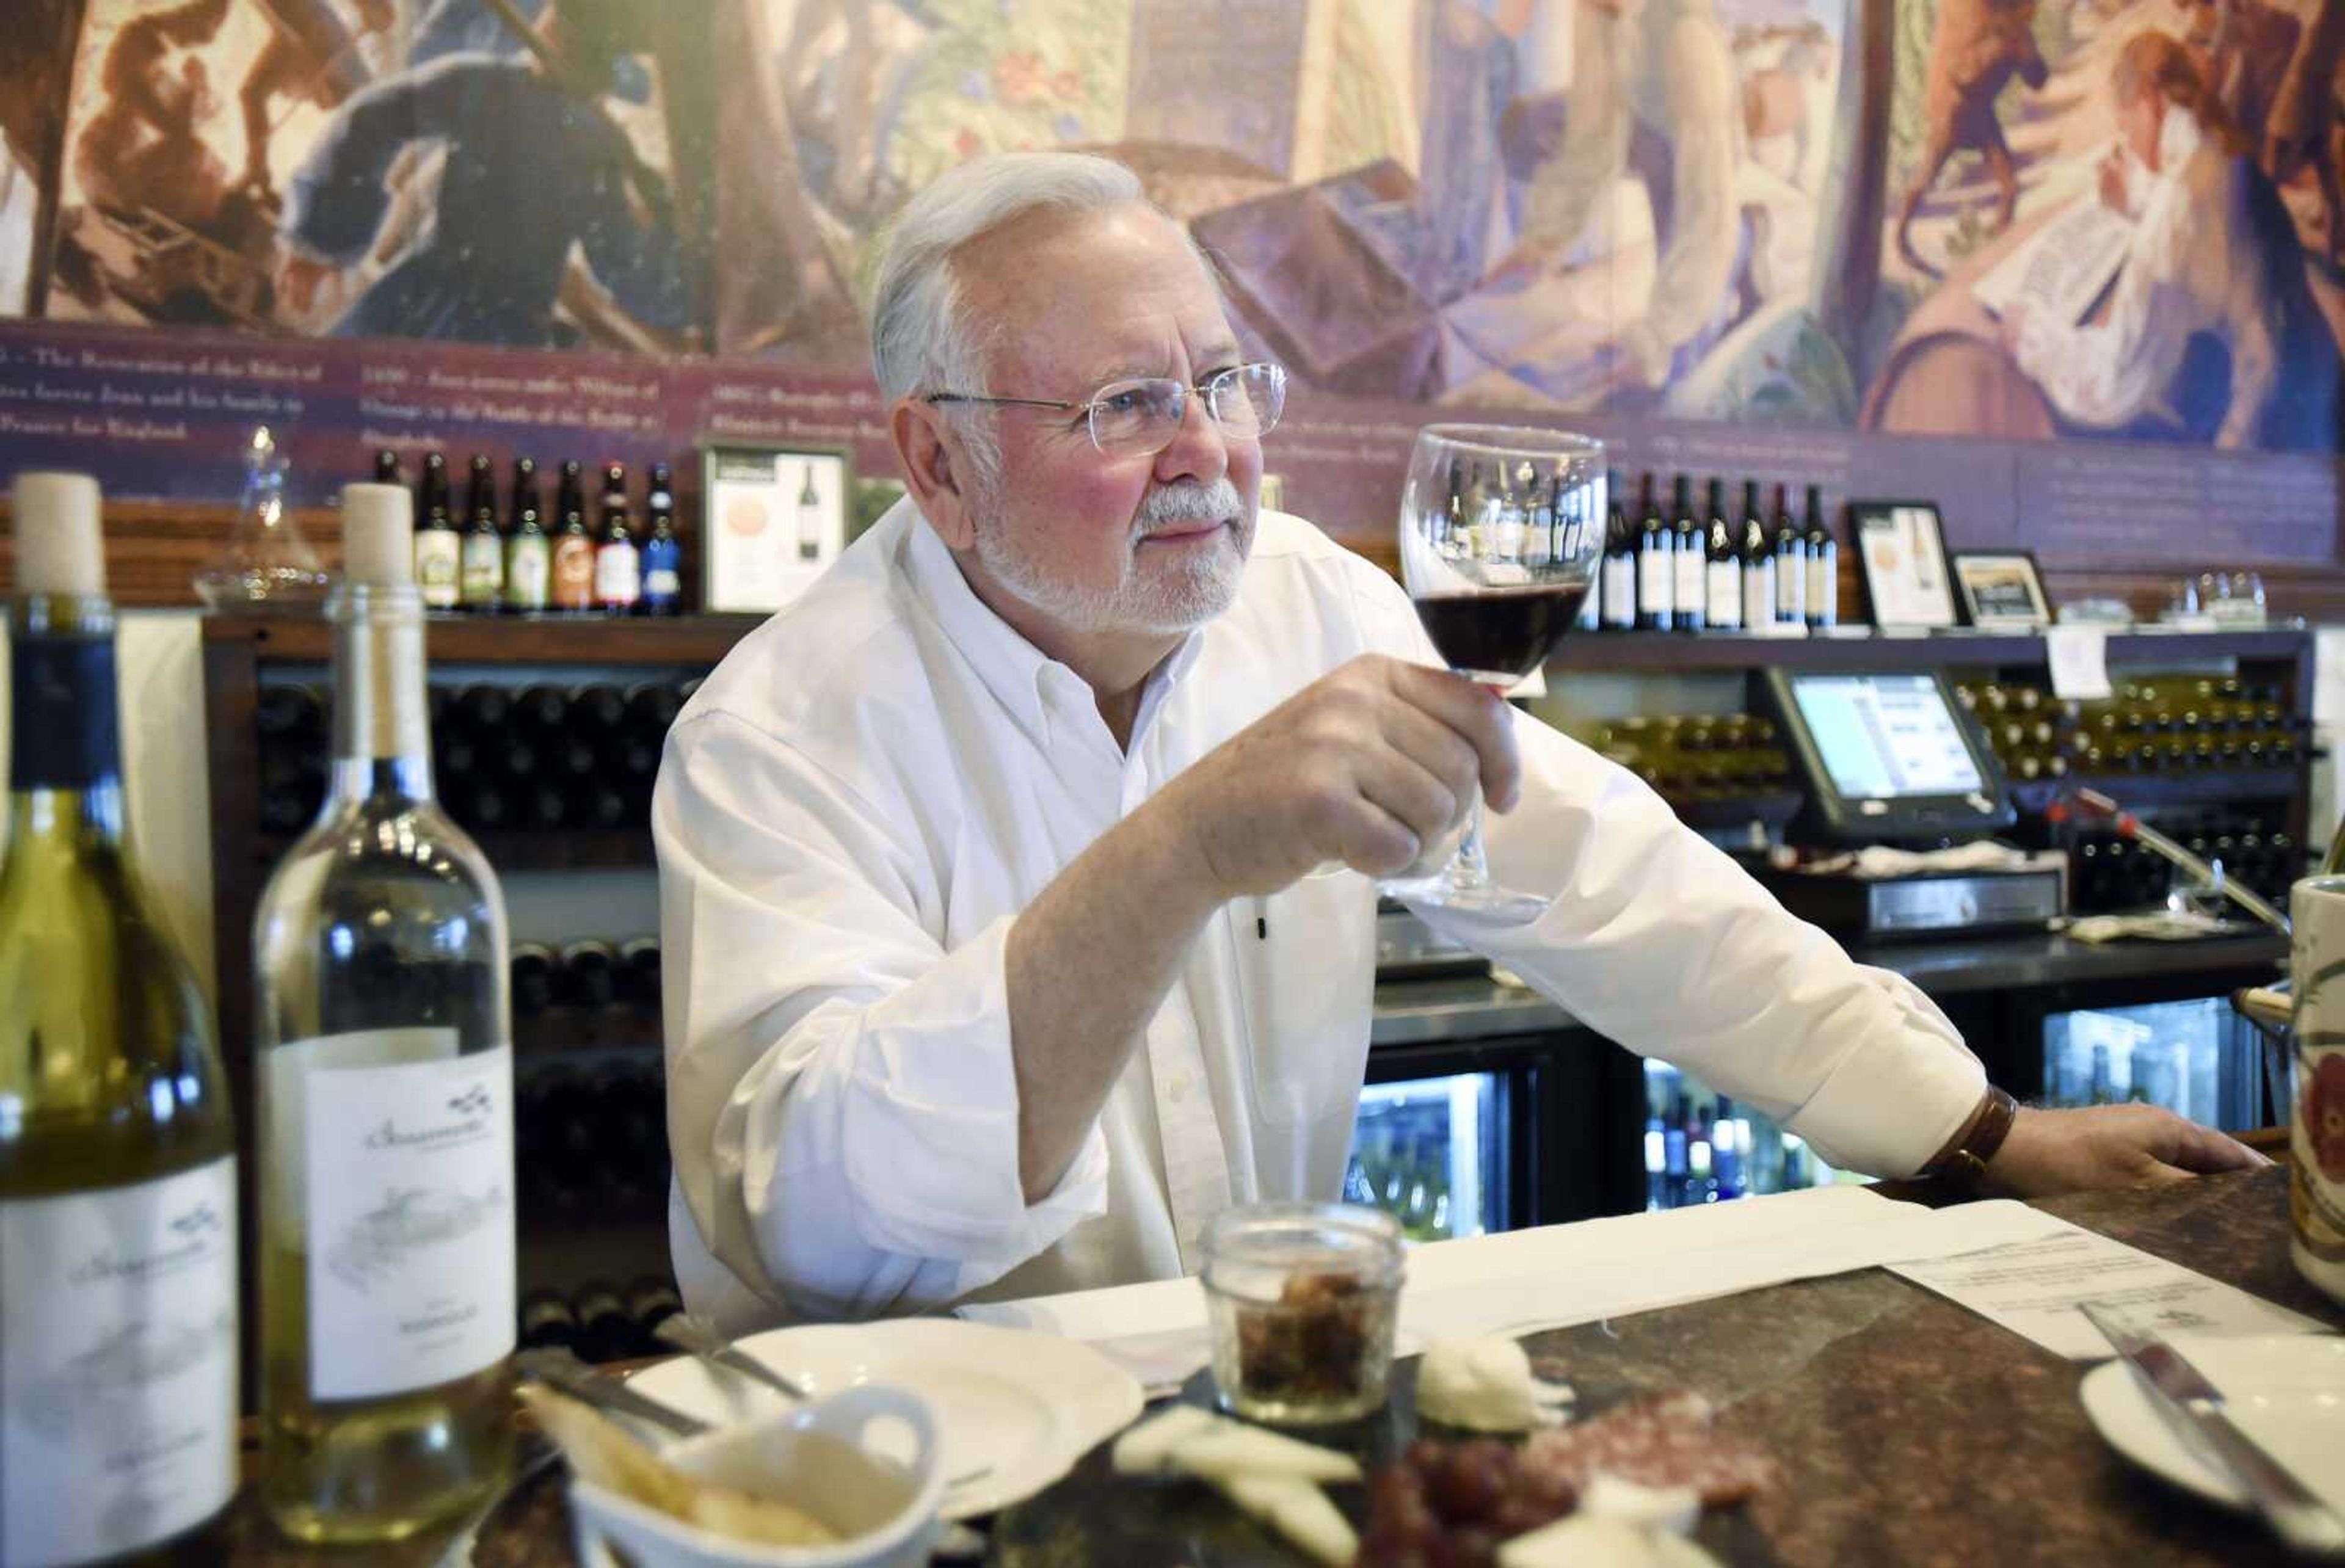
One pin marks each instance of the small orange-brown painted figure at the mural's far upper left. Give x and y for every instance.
(142, 149)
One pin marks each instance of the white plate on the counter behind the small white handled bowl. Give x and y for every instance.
(1021, 1407)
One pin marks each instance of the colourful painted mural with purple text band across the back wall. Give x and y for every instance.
(1713, 231)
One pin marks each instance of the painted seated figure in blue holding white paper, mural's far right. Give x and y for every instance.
(2213, 329)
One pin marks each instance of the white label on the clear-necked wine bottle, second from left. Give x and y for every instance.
(409, 1206)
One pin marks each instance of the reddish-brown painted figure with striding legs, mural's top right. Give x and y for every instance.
(1976, 50)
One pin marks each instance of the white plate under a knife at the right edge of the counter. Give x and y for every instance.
(2285, 1391)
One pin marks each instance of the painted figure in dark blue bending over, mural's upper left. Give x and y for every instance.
(533, 168)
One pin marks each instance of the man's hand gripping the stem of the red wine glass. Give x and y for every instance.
(1364, 768)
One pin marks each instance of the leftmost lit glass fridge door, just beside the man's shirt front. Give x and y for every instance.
(1432, 1154)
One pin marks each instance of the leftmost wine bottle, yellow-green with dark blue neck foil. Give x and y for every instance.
(118, 1178)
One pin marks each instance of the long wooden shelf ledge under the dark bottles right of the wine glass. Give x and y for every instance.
(1683, 653)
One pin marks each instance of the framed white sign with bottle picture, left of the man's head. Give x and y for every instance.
(775, 519)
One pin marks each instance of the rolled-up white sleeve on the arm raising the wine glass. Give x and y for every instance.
(843, 1107)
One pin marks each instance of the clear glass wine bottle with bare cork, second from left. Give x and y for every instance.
(386, 1107)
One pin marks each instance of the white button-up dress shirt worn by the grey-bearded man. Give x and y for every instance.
(864, 796)
